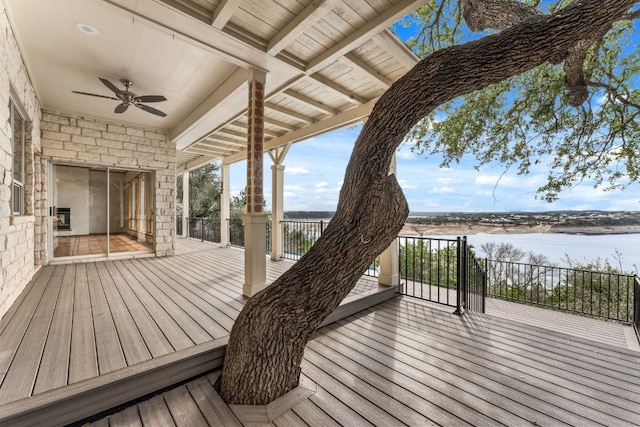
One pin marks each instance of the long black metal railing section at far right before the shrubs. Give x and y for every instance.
(602, 294)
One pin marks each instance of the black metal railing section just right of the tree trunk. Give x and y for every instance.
(443, 271)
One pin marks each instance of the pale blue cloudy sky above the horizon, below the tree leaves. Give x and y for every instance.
(314, 170)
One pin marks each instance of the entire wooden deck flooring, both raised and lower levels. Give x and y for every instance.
(84, 338)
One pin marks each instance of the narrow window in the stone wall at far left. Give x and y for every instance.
(17, 171)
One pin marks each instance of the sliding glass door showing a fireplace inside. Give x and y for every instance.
(99, 211)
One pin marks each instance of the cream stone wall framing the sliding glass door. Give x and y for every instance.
(86, 141)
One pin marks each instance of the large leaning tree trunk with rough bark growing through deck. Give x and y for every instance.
(267, 342)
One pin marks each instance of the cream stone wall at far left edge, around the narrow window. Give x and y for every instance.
(16, 232)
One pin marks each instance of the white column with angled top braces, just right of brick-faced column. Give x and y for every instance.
(277, 200)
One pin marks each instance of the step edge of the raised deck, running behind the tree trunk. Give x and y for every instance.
(87, 398)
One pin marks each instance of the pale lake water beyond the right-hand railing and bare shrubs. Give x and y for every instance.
(579, 247)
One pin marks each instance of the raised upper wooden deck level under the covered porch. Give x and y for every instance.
(137, 325)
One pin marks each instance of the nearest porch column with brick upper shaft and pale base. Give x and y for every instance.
(255, 220)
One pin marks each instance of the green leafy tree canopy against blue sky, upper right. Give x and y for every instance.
(525, 122)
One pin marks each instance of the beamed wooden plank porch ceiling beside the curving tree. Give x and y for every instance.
(339, 58)
